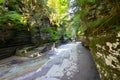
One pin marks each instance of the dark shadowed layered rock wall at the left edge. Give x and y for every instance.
(10, 40)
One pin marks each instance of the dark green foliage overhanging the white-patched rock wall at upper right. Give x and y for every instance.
(95, 21)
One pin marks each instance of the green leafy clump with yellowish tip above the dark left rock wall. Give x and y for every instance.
(12, 19)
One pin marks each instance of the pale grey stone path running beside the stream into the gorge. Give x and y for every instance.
(70, 62)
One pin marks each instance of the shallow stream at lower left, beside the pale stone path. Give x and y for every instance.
(15, 66)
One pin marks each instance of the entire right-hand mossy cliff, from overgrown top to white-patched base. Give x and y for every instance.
(102, 36)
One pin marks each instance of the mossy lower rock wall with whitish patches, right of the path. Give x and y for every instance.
(106, 53)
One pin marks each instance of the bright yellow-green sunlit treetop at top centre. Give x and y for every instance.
(58, 9)
